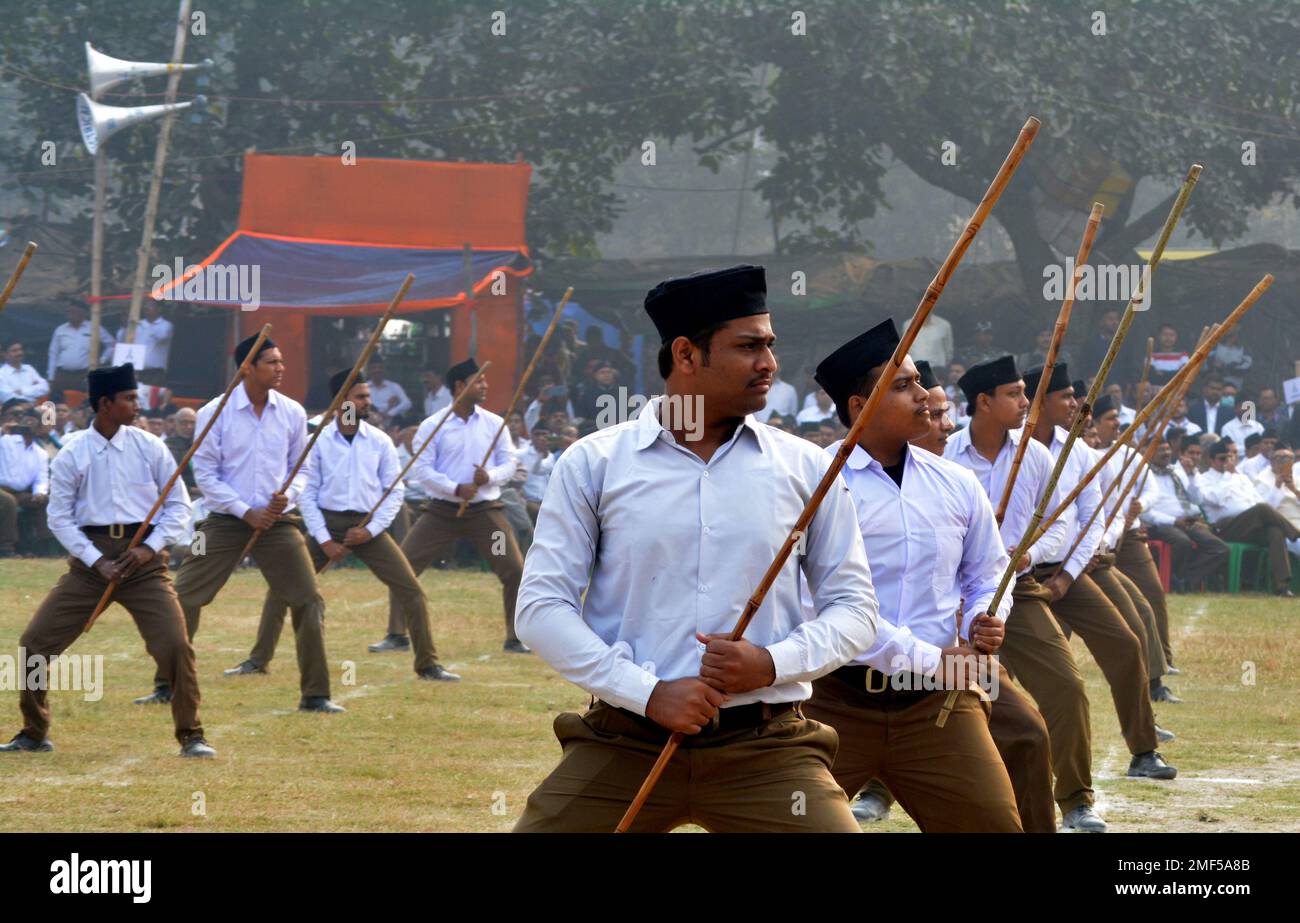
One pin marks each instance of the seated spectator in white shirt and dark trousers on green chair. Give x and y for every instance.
(1240, 514)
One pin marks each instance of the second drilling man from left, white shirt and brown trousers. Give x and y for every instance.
(241, 469)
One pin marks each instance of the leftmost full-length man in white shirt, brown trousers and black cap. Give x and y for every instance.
(103, 487)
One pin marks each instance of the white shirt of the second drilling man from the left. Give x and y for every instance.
(248, 458)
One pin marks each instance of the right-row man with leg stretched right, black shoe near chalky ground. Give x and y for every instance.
(1078, 603)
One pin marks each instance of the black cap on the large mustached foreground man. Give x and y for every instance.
(681, 307)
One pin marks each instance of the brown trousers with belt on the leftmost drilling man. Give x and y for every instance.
(153, 604)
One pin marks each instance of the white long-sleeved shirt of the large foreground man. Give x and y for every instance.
(640, 544)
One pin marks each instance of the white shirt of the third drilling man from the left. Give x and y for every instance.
(350, 478)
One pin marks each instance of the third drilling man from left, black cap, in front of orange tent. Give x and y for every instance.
(349, 470)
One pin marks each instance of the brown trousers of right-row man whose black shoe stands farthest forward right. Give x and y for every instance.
(1117, 649)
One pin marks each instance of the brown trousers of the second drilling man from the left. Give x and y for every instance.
(283, 558)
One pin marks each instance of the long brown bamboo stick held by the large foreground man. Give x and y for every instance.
(1004, 176)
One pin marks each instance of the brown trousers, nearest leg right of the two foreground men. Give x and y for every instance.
(1037, 653)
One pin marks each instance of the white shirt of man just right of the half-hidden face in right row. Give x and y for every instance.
(1030, 484)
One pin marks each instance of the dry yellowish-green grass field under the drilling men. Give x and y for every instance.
(411, 756)
